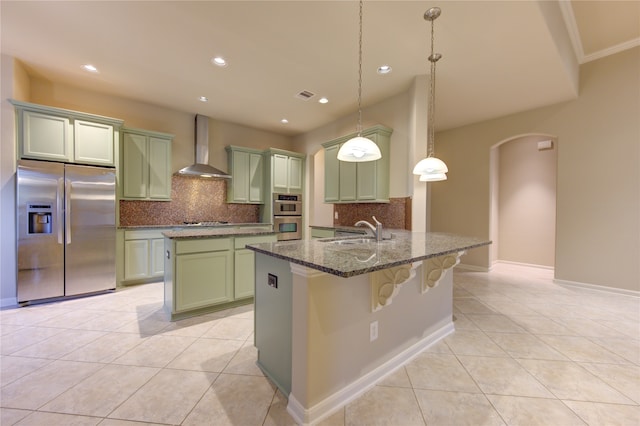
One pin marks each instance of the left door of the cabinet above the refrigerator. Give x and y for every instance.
(46, 137)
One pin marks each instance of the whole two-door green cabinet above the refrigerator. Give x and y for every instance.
(56, 134)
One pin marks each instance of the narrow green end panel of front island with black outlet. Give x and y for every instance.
(272, 318)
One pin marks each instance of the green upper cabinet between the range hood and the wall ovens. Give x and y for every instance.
(247, 172)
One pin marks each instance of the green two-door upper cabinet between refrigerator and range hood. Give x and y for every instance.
(146, 165)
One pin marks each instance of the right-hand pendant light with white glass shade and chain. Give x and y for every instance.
(431, 169)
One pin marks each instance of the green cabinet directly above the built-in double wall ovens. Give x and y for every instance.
(286, 171)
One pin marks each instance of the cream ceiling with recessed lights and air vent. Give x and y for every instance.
(499, 57)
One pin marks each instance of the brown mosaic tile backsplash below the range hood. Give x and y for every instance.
(192, 200)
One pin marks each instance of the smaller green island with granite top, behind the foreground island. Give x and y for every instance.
(207, 269)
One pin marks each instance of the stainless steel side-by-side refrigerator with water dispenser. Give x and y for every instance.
(66, 230)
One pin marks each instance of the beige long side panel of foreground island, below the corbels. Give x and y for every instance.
(331, 342)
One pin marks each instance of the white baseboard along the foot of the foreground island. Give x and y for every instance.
(335, 402)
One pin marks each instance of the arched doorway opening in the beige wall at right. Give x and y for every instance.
(523, 200)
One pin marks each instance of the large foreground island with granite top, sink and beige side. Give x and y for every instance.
(335, 316)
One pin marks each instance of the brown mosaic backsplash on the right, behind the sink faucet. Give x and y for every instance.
(395, 214)
